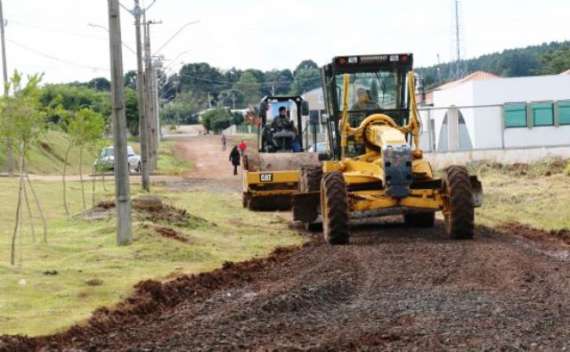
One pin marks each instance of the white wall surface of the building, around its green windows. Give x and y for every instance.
(485, 125)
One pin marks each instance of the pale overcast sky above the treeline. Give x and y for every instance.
(53, 36)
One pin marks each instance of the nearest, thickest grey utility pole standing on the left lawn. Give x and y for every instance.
(122, 191)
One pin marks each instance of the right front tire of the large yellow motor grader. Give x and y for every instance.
(459, 210)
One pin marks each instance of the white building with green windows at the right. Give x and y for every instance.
(483, 111)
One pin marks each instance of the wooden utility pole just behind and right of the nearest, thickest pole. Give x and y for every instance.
(143, 122)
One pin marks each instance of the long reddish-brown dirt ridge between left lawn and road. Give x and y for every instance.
(150, 297)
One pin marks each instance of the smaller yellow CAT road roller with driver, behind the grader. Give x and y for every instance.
(271, 173)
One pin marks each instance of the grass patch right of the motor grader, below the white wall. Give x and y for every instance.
(526, 195)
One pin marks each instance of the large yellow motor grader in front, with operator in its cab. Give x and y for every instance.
(377, 166)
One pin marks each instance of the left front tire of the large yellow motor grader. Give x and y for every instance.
(334, 209)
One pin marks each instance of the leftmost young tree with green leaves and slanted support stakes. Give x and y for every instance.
(23, 122)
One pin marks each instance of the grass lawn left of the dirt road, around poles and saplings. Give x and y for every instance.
(91, 271)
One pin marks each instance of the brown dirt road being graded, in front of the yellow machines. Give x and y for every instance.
(392, 289)
